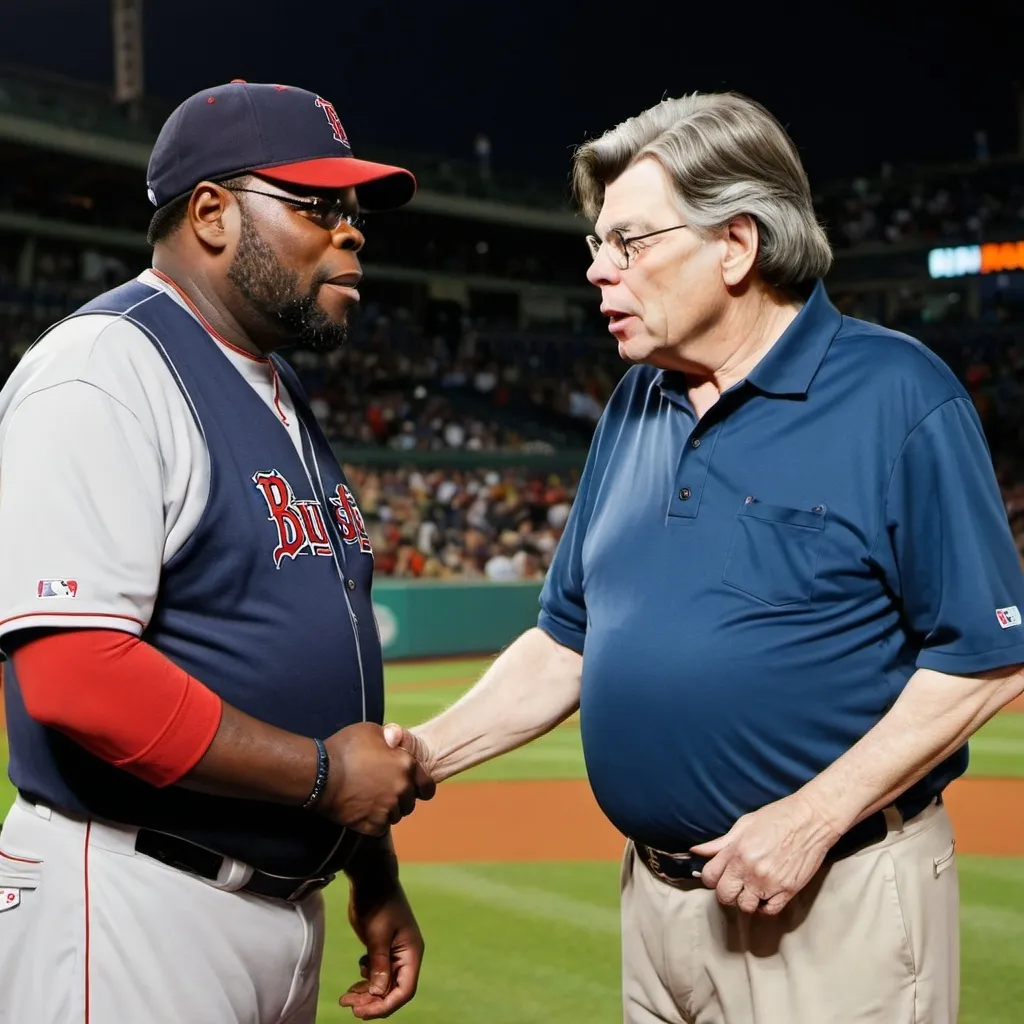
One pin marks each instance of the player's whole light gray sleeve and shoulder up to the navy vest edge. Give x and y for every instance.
(104, 476)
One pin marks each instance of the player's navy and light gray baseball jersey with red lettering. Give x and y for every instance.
(154, 480)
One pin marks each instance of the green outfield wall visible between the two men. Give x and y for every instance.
(432, 619)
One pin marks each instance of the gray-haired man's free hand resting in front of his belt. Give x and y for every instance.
(769, 856)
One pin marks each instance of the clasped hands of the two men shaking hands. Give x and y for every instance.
(375, 778)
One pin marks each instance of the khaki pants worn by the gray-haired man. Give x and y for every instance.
(873, 940)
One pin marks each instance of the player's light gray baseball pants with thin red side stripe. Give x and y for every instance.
(93, 932)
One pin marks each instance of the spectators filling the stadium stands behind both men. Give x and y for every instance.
(453, 385)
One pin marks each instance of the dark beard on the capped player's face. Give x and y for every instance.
(274, 293)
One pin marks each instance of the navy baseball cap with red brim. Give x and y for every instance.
(281, 133)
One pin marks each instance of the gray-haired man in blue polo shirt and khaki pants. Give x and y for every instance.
(786, 598)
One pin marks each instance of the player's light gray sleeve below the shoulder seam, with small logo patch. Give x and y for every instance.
(81, 514)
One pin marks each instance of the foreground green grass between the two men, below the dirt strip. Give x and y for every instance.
(506, 945)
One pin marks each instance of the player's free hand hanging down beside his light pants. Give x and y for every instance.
(385, 923)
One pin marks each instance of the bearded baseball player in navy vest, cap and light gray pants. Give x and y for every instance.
(194, 686)
